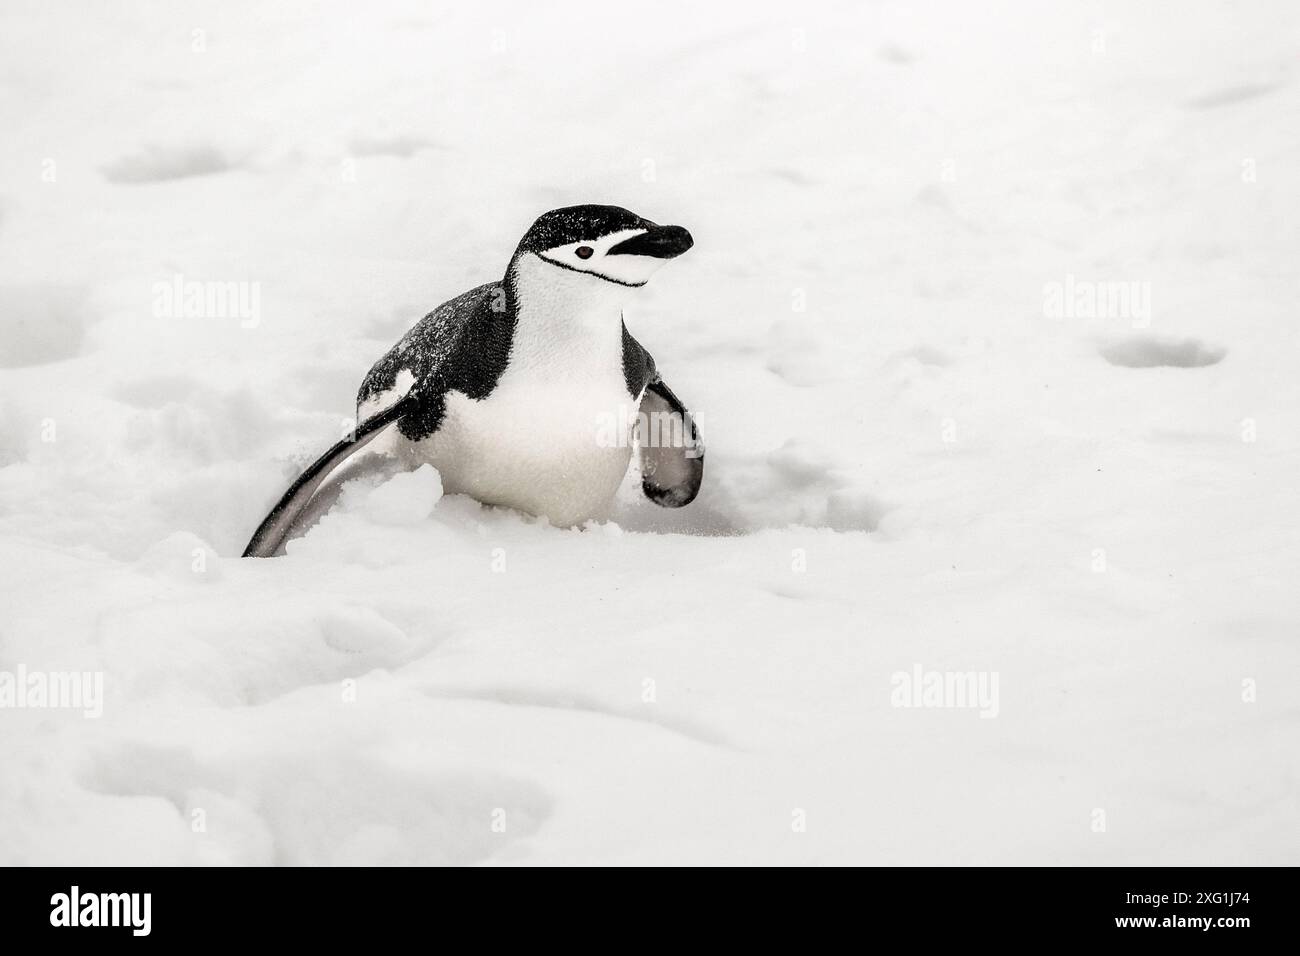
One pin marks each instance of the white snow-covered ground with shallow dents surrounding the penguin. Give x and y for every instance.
(924, 452)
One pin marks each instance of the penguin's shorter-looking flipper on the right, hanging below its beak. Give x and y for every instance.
(673, 455)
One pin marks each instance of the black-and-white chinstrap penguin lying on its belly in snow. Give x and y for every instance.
(502, 388)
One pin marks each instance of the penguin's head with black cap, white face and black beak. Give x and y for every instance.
(606, 243)
